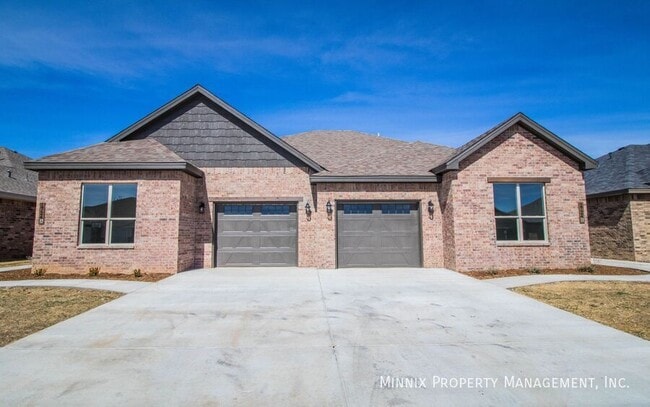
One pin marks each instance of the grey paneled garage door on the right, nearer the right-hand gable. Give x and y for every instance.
(384, 234)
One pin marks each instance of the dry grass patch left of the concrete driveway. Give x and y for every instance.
(25, 310)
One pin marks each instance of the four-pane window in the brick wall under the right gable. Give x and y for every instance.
(520, 212)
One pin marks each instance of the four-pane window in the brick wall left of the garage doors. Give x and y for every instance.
(108, 214)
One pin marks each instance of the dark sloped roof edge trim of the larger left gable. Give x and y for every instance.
(200, 90)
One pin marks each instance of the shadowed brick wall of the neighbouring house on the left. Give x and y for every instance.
(16, 229)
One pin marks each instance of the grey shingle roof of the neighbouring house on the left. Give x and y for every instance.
(16, 182)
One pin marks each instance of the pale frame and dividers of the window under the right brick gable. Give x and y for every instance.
(520, 241)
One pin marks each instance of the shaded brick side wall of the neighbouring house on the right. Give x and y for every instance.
(610, 227)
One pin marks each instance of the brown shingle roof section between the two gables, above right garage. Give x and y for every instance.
(347, 153)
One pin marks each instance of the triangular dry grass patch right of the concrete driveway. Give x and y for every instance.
(621, 305)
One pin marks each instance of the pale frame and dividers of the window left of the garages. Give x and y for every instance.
(108, 219)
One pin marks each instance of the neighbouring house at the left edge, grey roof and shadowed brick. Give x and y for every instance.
(17, 203)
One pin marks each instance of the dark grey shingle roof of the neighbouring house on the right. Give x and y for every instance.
(627, 168)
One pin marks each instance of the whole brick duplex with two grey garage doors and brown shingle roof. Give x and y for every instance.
(198, 184)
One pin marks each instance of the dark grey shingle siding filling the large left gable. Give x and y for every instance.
(205, 135)
